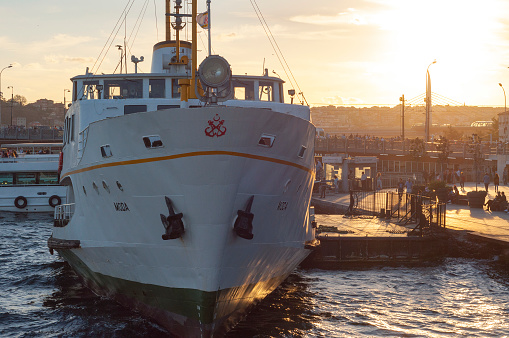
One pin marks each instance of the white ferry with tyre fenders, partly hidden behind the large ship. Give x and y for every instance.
(29, 179)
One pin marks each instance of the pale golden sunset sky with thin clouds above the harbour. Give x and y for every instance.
(341, 52)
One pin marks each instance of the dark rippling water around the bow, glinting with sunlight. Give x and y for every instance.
(41, 296)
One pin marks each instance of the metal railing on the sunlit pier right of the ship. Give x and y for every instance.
(428, 215)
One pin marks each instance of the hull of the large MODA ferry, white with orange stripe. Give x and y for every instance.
(203, 282)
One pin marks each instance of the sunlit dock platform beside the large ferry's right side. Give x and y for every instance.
(369, 239)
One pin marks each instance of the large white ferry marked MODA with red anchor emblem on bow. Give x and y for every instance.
(189, 188)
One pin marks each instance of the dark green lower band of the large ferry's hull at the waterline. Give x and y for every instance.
(182, 311)
